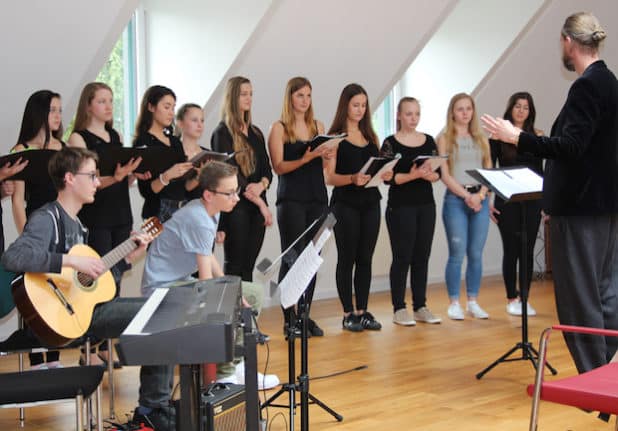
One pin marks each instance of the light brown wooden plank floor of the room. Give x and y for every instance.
(417, 378)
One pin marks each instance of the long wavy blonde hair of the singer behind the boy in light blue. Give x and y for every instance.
(234, 120)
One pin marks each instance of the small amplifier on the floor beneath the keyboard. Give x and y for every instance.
(225, 408)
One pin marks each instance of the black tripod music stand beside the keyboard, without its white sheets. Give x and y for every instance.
(302, 386)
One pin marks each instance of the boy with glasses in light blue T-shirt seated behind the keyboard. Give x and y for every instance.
(184, 246)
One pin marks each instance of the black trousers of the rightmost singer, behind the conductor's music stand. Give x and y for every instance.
(509, 224)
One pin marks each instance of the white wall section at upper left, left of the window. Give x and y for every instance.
(57, 45)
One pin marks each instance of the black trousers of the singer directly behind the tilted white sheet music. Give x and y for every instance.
(293, 218)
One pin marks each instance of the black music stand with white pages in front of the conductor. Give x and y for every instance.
(516, 185)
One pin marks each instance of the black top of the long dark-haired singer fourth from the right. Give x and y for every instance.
(350, 160)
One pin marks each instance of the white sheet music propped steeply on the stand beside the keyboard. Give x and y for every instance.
(300, 274)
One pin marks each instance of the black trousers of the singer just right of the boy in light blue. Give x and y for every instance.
(244, 235)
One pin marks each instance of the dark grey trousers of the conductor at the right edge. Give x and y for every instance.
(585, 270)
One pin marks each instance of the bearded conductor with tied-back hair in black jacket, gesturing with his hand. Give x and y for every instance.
(580, 191)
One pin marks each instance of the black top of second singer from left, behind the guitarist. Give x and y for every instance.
(111, 206)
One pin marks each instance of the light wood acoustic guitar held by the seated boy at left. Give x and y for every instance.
(59, 307)
